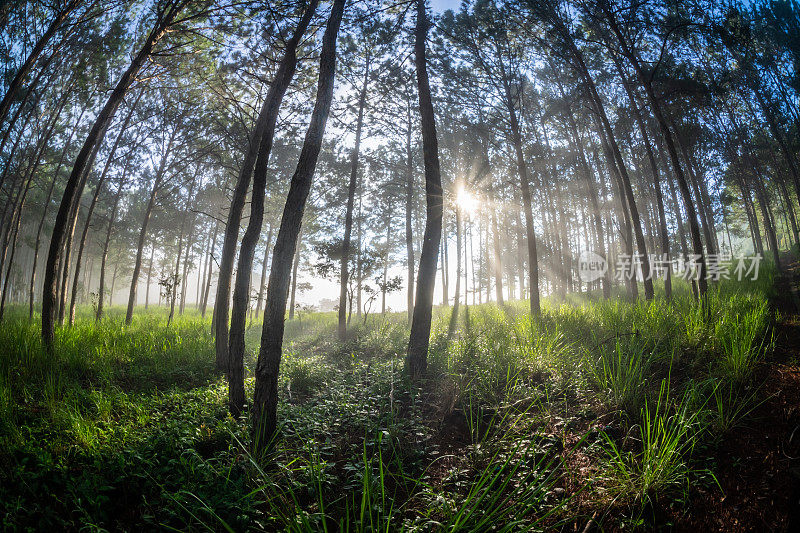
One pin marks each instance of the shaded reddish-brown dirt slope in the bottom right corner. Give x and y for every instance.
(758, 465)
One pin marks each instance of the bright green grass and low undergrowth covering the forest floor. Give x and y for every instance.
(606, 412)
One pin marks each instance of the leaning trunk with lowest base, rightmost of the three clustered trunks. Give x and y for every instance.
(265, 400)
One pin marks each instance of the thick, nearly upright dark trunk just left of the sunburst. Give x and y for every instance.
(417, 357)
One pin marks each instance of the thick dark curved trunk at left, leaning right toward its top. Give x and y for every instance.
(76, 181)
